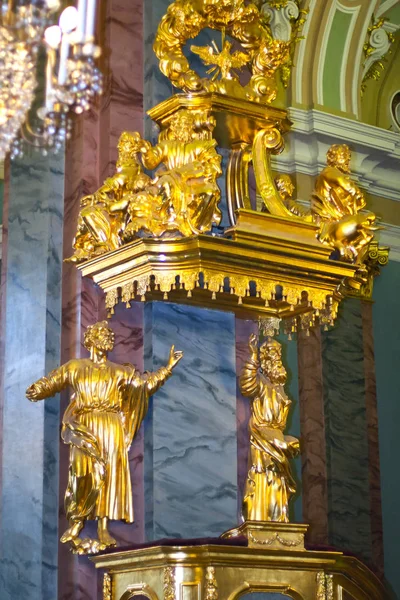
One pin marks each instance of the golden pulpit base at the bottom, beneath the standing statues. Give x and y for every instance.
(226, 569)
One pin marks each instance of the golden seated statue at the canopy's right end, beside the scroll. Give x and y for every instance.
(335, 205)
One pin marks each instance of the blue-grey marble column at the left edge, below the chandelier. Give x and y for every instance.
(31, 329)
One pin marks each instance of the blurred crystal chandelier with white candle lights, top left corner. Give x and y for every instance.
(71, 76)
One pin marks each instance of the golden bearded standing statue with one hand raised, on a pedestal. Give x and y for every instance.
(270, 483)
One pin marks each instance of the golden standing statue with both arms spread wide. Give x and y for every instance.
(104, 415)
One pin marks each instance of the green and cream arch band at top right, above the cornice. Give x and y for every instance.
(329, 61)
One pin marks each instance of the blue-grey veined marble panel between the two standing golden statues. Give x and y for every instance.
(190, 432)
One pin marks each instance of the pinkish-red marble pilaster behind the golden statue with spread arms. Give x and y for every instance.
(90, 158)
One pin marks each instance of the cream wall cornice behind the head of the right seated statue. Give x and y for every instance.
(376, 151)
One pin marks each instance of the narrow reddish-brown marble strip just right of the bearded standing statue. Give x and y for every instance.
(313, 444)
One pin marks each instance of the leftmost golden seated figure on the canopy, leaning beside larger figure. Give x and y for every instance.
(103, 215)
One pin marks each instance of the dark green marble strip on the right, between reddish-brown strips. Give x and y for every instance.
(349, 503)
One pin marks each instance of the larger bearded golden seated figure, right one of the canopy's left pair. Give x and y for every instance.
(183, 197)
